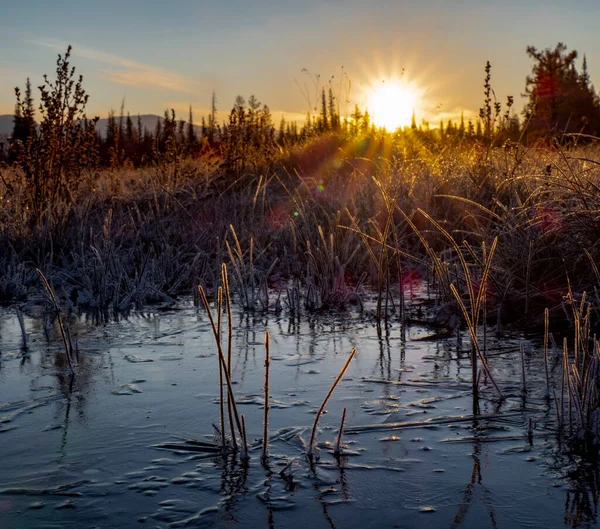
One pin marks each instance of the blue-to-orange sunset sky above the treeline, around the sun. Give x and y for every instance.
(156, 54)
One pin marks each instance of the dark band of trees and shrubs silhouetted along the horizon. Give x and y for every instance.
(560, 100)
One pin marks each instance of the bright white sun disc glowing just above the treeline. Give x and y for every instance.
(391, 105)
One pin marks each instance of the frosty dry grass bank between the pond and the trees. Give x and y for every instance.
(329, 218)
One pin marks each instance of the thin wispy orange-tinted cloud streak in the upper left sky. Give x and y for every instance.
(130, 73)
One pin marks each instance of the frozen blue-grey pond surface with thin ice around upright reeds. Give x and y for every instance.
(80, 451)
